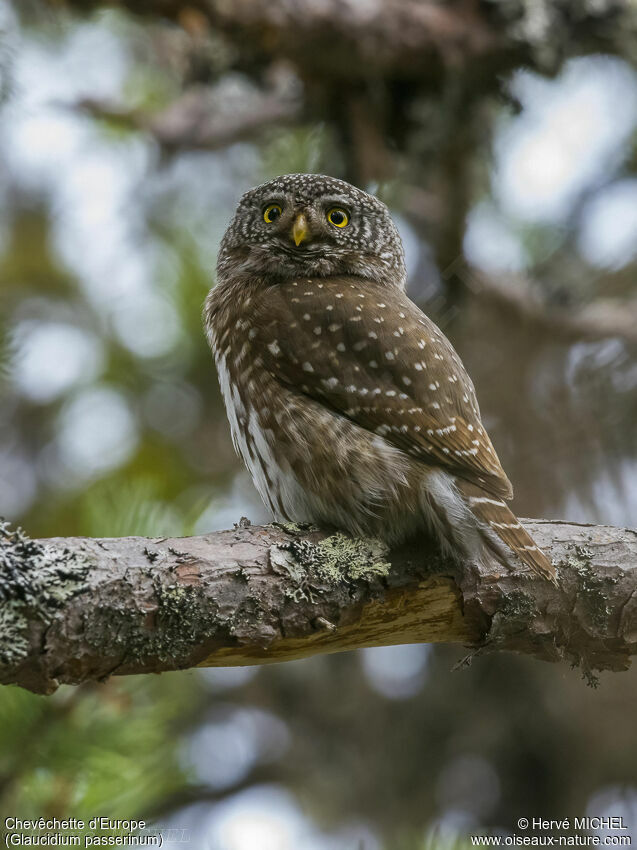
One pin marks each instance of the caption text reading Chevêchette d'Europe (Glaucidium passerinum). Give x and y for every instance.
(76, 832)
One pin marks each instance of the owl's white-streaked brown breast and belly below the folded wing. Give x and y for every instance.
(307, 462)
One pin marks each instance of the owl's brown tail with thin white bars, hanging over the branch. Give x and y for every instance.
(496, 514)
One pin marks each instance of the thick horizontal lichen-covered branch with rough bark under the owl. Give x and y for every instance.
(77, 609)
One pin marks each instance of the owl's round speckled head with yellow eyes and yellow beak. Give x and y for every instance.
(314, 226)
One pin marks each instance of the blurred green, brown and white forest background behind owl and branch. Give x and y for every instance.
(504, 138)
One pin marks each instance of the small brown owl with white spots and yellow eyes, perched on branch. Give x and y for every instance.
(348, 405)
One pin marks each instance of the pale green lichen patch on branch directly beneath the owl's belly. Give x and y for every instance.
(338, 559)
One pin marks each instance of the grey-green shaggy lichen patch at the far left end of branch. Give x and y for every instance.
(35, 579)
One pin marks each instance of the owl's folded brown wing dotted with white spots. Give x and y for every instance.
(371, 355)
